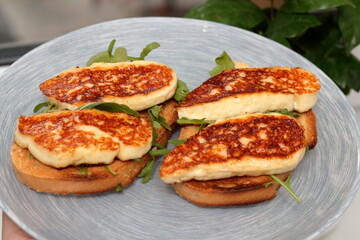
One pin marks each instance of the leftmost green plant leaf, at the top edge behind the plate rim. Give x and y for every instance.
(243, 14)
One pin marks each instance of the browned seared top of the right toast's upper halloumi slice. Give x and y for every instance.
(233, 82)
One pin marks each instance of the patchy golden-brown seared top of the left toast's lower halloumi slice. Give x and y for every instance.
(65, 131)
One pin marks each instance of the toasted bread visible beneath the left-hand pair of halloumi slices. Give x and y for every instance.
(43, 178)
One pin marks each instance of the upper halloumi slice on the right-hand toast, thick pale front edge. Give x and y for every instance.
(249, 90)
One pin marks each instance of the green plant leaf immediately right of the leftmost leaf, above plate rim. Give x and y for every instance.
(290, 25)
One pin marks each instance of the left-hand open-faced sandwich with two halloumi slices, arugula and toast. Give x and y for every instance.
(91, 138)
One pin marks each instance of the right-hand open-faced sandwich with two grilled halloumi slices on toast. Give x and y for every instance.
(247, 149)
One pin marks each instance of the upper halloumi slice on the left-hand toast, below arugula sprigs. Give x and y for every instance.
(138, 84)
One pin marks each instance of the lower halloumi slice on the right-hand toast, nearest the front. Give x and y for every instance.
(249, 145)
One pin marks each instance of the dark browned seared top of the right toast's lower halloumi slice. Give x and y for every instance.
(262, 137)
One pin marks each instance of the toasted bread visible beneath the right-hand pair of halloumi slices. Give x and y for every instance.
(239, 190)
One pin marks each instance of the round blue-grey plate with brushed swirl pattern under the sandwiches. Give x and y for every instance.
(326, 180)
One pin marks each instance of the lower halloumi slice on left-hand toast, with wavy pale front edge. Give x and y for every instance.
(90, 136)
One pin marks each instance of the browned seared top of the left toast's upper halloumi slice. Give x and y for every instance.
(92, 84)
